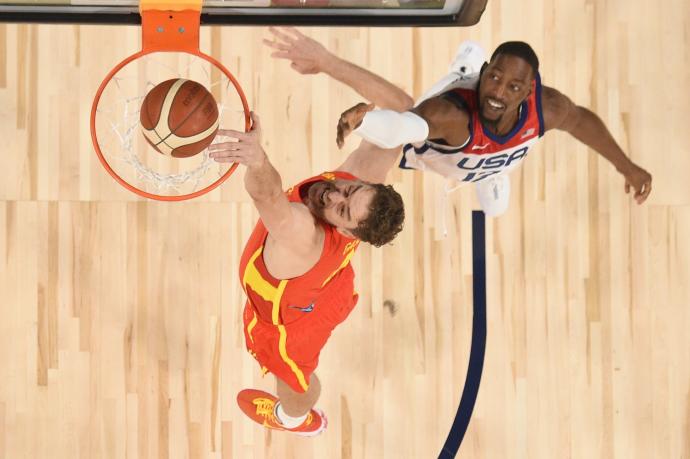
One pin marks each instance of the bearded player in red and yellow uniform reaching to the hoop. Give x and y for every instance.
(295, 268)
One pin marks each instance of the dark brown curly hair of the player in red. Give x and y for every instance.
(386, 217)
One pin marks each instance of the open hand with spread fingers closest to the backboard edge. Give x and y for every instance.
(308, 56)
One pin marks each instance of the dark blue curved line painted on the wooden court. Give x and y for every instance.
(476, 364)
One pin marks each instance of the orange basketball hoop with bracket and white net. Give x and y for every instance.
(170, 49)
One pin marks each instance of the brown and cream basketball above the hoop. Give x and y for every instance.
(179, 118)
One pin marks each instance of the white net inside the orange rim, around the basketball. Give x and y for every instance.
(119, 133)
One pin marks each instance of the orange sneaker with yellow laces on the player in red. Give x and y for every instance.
(260, 407)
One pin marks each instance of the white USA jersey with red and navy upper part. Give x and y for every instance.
(483, 154)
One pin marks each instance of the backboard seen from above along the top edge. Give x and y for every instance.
(258, 12)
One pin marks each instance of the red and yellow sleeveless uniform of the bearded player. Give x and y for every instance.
(287, 321)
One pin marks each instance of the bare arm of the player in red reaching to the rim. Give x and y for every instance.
(283, 221)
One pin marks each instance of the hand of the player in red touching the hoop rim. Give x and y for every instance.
(246, 149)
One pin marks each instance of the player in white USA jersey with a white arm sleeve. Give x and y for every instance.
(476, 124)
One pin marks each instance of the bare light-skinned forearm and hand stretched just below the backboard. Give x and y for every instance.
(308, 56)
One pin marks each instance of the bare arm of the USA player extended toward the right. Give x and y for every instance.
(561, 113)
